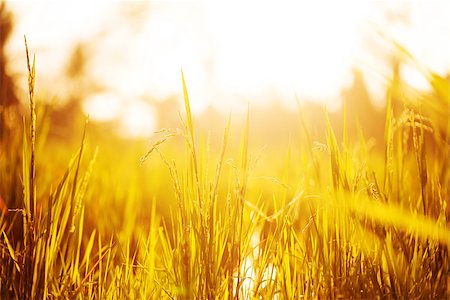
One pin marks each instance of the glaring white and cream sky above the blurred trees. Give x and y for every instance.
(231, 54)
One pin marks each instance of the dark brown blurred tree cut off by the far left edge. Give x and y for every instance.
(8, 99)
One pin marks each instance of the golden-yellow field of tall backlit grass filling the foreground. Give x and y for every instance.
(336, 219)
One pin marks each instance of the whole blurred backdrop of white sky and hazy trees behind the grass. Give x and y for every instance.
(120, 62)
